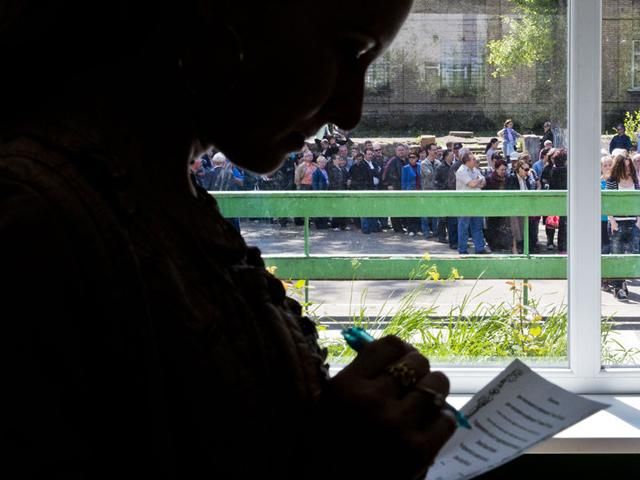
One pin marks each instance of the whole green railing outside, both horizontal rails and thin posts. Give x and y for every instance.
(424, 204)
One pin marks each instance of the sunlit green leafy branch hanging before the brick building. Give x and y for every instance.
(530, 39)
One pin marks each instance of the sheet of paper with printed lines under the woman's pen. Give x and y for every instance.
(515, 411)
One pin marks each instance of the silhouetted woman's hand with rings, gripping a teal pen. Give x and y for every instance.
(382, 428)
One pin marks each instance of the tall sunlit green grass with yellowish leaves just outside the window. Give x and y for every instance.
(474, 332)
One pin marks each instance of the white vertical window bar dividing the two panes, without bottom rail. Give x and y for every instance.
(585, 38)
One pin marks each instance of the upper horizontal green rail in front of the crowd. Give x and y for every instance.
(421, 203)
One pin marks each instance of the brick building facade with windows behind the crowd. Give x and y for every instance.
(436, 76)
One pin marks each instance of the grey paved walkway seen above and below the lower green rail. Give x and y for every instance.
(340, 300)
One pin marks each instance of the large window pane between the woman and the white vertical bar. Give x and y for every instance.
(456, 72)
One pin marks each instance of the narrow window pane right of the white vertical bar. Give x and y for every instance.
(619, 166)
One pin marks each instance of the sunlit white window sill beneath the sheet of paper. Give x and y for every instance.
(615, 430)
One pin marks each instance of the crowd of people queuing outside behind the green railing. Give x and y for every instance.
(336, 163)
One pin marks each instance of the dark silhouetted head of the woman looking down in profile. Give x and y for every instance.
(210, 60)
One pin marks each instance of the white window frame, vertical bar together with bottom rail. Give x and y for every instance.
(585, 373)
